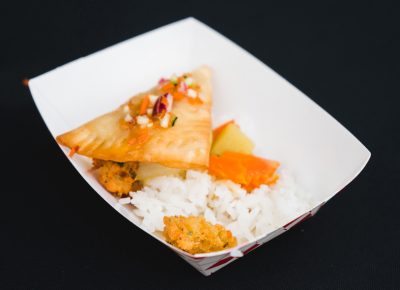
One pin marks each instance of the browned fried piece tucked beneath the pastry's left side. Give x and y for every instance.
(117, 177)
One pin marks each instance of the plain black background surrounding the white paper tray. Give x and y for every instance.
(343, 56)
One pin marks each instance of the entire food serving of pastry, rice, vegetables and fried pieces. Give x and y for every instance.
(204, 190)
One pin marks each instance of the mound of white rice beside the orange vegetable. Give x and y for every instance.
(247, 215)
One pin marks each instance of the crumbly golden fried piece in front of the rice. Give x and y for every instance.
(195, 235)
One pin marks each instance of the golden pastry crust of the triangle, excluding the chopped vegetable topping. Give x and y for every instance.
(185, 145)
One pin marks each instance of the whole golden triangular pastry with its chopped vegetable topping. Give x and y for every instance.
(170, 124)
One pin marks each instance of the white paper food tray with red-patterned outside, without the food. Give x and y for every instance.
(284, 123)
